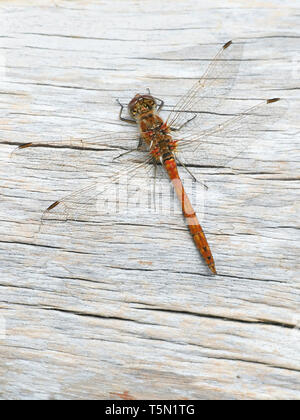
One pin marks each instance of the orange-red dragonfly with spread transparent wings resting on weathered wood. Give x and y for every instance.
(163, 142)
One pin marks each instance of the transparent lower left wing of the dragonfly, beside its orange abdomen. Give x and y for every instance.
(124, 191)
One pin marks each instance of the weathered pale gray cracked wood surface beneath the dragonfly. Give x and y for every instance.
(123, 306)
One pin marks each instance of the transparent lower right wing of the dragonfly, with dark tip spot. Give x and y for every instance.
(223, 142)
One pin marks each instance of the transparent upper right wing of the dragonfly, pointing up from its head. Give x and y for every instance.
(208, 92)
